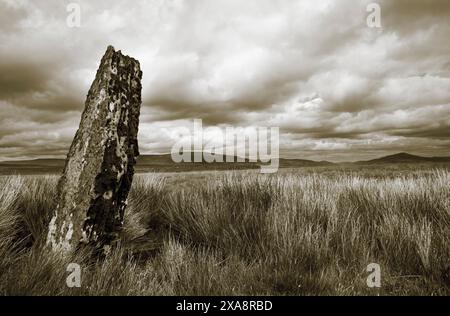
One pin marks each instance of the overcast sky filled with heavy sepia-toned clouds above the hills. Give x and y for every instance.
(337, 89)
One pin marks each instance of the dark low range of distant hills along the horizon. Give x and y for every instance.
(164, 163)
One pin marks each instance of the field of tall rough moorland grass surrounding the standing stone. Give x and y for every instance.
(299, 232)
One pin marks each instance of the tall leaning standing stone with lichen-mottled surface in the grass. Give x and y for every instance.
(92, 192)
